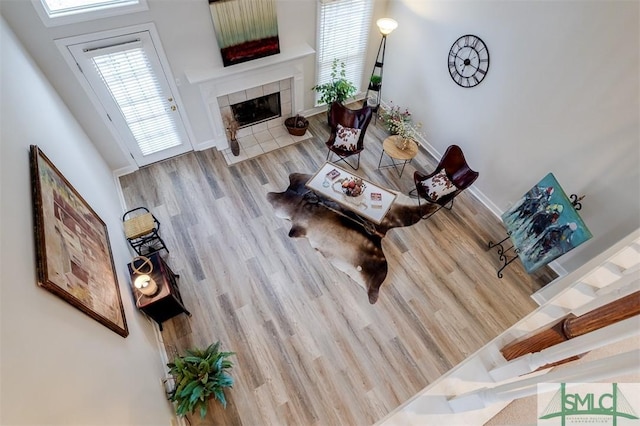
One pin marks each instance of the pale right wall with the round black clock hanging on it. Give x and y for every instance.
(561, 96)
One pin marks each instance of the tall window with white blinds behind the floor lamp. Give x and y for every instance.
(343, 33)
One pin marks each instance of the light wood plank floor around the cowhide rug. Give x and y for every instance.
(310, 348)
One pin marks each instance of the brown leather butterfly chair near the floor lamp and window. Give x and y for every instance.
(348, 127)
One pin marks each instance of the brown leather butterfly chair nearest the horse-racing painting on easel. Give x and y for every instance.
(452, 176)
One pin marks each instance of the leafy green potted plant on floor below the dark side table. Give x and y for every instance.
(199, 376)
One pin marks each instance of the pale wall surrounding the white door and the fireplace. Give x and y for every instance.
(189, 42)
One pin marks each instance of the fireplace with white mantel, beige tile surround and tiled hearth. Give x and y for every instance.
(278, 74)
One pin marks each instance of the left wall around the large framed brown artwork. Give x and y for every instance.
(58, 365)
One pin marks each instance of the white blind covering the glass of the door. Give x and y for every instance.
(130, 79)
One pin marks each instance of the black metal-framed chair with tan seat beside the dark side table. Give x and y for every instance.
(141, 229)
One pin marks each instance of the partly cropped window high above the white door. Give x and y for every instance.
(62, 12)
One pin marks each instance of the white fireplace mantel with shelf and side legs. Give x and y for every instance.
(214, 83)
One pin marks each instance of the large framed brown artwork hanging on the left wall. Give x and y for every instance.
(73, 253)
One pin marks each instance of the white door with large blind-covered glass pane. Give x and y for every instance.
(126, 75)
